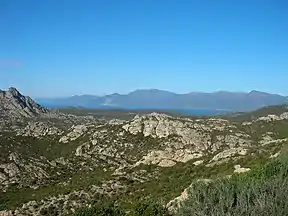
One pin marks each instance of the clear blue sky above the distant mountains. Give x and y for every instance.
(65, 47)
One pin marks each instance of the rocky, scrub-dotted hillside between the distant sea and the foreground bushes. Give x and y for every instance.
(56, 164)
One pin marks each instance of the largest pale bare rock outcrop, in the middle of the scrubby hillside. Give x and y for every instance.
(185, 139)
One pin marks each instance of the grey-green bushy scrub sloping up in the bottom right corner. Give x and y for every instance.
(262, 191)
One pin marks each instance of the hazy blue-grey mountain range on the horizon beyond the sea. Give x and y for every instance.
(159, 99)
